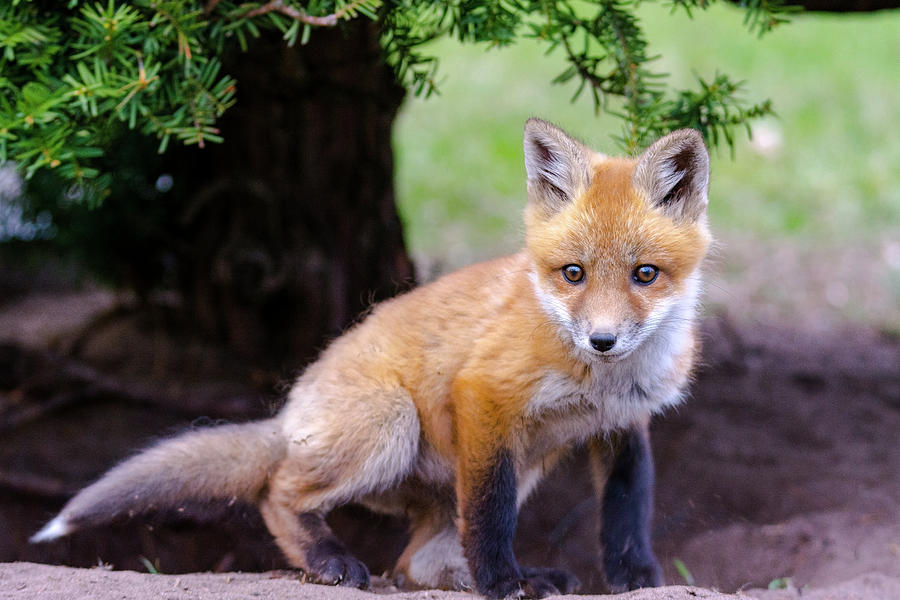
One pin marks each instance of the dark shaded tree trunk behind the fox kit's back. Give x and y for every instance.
(289, 229)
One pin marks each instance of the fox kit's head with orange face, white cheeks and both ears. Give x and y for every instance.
(616, 244)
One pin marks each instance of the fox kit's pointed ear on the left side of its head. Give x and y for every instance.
(557, 165)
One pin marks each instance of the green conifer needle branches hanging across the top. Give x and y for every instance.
(72, 73)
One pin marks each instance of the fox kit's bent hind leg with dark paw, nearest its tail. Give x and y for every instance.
(340, 449)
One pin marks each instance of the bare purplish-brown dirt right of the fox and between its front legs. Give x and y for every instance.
(784, 463)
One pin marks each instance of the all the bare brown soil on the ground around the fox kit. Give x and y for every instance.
(784, 465)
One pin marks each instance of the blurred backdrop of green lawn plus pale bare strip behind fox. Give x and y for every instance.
(807, 212)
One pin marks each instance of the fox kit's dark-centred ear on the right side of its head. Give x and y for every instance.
(674, 173)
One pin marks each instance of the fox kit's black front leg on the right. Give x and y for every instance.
(623, 476)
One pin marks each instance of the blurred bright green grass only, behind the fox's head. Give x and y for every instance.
(834, 175)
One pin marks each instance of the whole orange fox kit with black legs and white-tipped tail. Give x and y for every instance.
(448, 404)
